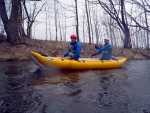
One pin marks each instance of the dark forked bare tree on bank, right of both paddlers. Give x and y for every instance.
(120, 19)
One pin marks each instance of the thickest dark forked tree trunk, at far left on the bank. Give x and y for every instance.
(11, 25)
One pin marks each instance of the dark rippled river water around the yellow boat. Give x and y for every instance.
(25, 88)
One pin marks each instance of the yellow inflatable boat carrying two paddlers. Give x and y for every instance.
(81, 64)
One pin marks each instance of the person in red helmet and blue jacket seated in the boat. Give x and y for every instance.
(75, 48)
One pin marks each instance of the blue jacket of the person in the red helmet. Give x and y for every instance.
(74, 51)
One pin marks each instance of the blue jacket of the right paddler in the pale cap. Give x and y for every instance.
(106, 51)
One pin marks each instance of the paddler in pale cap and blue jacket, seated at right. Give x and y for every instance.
(106, 50)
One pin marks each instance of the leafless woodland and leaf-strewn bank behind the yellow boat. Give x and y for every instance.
(125, 22)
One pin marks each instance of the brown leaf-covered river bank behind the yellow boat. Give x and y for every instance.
(57, 49)
